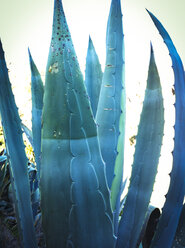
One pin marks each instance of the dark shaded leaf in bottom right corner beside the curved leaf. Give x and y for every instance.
(179, 240)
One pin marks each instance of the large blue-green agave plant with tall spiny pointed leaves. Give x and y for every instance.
(78, 131)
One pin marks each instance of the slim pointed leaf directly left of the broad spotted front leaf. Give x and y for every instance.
(37, 90)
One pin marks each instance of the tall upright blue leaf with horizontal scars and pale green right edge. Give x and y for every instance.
(110, 115)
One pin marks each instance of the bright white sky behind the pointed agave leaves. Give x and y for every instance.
(28, 23)
